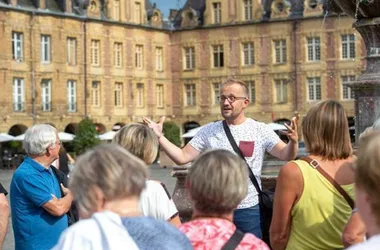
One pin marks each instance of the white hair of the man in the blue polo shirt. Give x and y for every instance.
(38, 138)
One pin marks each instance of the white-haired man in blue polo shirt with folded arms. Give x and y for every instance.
(37, 208)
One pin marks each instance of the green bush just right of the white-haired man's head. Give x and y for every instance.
(86, 137)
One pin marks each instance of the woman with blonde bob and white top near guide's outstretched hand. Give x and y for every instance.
(155, 200)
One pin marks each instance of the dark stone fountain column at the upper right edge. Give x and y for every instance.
(367, 87)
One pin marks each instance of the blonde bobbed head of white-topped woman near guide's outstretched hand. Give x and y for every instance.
(139, 140)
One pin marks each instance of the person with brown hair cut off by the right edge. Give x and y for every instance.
(367, 182)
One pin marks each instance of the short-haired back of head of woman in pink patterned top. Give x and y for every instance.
(217, 182)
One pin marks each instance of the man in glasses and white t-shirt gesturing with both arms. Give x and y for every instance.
(252, 137)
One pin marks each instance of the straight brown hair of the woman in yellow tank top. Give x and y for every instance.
(325, 131)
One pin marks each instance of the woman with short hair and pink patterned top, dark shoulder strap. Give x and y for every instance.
(217, 182)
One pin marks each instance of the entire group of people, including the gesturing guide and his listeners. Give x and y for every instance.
(327, 200)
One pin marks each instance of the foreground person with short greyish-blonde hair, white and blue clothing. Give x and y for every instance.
(107, 183)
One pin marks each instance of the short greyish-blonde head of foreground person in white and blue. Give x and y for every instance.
(111, 169)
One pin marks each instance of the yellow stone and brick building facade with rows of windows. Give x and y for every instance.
(116, 61)
